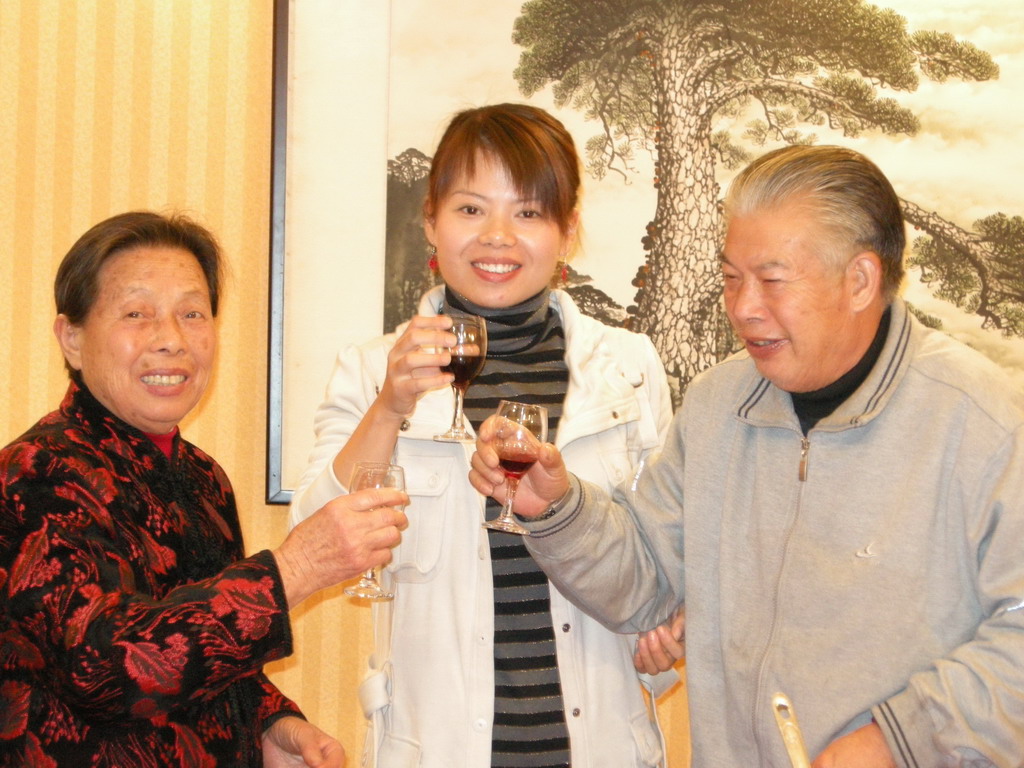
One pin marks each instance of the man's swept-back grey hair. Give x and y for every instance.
(845, 191)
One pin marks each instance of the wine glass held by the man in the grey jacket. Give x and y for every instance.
(521, 432)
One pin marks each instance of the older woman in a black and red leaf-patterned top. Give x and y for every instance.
(133, 628)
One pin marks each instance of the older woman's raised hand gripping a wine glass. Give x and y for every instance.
(348, 536)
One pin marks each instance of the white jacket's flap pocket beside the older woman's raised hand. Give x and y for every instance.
(428, 482)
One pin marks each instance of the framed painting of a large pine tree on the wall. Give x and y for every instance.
(370, 87)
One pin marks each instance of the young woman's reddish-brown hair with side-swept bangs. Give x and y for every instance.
(533, 147)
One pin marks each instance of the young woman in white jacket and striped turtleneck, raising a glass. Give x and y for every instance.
(481, 662)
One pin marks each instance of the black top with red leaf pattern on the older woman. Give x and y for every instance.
(133, 629)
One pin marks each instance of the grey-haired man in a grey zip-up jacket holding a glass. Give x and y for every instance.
(841, 505)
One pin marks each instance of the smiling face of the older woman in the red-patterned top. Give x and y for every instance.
(147, 348)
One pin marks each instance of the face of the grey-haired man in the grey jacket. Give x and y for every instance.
(799, 319)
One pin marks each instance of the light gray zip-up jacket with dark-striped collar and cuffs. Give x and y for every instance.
(875, 568)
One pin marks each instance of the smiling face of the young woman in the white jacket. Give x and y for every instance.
(495, 248)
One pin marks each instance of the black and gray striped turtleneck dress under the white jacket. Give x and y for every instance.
(526, 363)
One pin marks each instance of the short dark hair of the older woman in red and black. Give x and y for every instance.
(77, 283)
